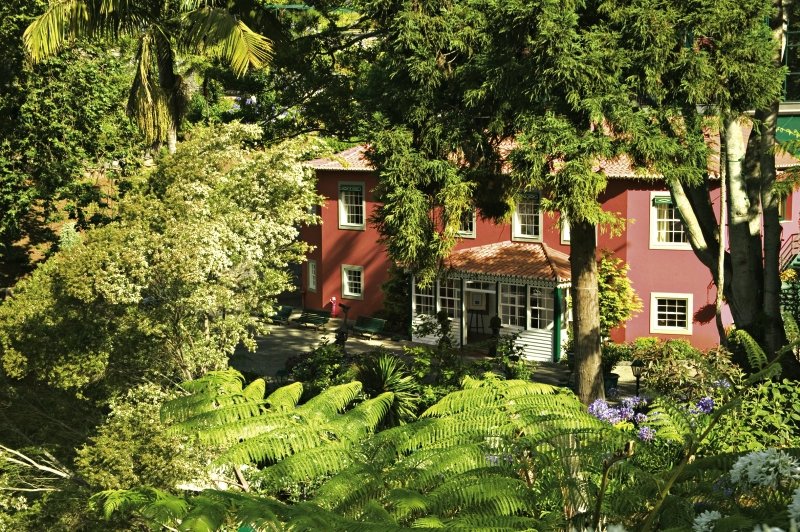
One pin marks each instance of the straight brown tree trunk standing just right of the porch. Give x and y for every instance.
(586, 312)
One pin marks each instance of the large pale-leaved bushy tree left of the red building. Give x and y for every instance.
(178, 281)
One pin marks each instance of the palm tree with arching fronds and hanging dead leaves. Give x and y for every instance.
(162, 28)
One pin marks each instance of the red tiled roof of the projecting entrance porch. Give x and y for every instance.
(513, 259)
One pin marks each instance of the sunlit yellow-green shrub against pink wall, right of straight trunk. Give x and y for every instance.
(617, 299)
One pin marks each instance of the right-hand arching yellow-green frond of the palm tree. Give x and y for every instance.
(218, 32)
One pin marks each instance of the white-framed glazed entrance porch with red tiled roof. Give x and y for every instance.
(524, 284)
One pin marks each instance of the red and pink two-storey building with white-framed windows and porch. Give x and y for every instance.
(517, 271)
